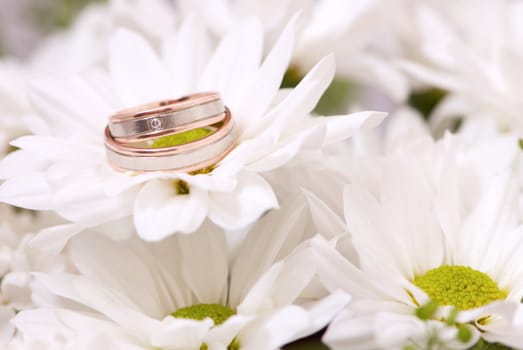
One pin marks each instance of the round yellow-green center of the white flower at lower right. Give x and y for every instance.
(459, 286)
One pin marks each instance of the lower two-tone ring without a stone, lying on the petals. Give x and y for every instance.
(186, 157)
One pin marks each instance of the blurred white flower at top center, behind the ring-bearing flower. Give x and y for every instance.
(346, 28)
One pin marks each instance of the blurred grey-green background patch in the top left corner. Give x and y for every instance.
(23, 23)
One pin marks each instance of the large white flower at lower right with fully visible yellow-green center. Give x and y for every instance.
(420, 230)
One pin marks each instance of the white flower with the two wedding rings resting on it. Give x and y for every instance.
(64, 167)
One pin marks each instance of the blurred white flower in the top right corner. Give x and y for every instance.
(478, 65)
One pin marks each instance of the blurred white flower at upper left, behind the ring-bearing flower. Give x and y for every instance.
(61, 54)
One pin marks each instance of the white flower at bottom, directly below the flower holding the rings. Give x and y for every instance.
(184, 293)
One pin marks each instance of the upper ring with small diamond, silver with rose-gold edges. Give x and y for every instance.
(152, 120)
